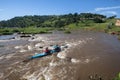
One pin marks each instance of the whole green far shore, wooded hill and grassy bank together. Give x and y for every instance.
(45, 24)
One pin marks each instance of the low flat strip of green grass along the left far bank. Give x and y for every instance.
(28, 30)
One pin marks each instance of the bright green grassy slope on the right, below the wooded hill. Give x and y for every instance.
(90, 25)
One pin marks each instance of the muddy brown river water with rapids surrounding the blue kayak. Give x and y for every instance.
(99, 54)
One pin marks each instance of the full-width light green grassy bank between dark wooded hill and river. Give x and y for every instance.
(82, 25)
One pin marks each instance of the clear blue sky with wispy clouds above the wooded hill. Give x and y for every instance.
(12, 8)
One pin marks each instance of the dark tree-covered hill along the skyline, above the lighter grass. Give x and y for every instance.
(51, 20)
